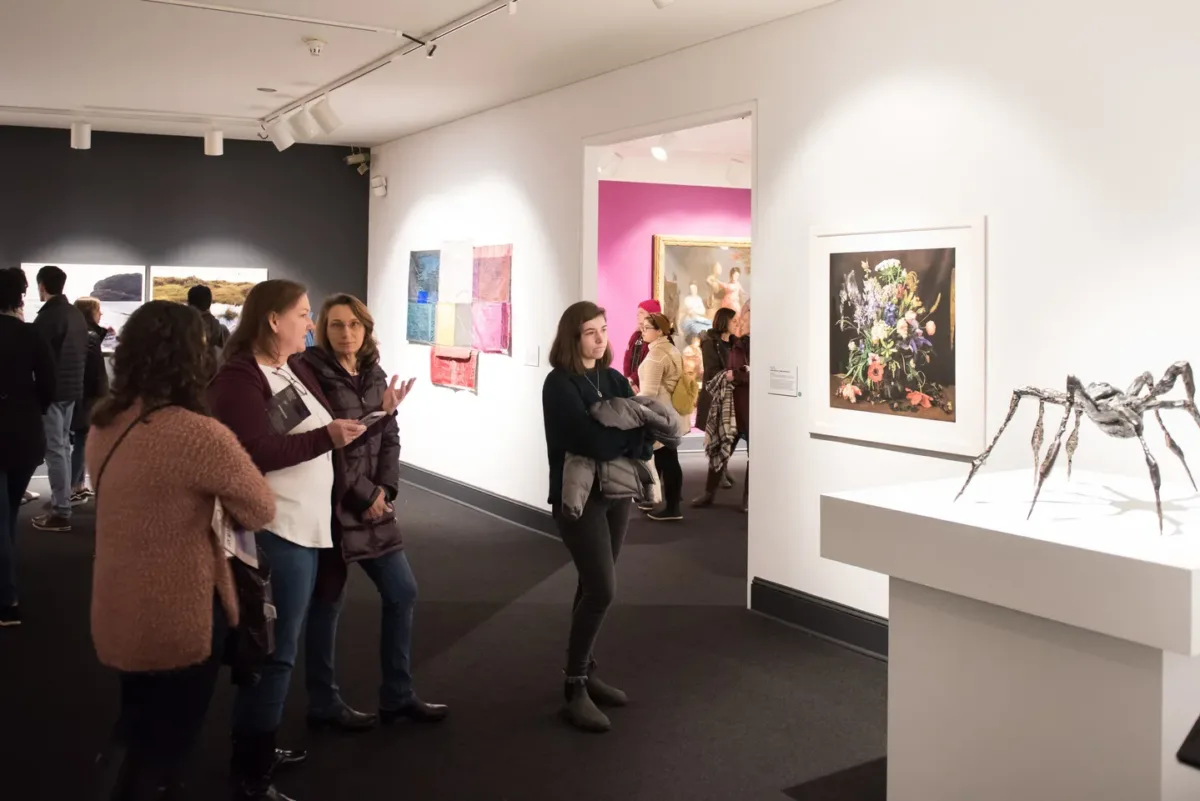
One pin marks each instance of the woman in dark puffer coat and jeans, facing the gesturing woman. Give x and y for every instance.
(367, 480)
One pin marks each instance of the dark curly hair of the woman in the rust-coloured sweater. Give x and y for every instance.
(163, 359)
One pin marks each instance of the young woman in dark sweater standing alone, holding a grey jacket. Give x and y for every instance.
(581, 377)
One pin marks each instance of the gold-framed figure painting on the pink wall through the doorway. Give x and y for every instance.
(695, 276)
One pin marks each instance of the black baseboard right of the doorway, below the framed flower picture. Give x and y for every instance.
(826, 619)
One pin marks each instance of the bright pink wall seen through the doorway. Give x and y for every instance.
(631, 216)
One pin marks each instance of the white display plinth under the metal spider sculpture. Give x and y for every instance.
(1047, 659)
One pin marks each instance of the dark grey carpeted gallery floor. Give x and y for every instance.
(728, 706)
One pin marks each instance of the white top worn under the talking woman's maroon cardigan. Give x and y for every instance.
(303, 492)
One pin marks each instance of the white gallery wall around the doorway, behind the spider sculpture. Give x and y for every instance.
(1073, 125)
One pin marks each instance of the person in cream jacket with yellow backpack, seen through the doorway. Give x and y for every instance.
(658, 377)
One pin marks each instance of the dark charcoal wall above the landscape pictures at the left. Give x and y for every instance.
(160, 201)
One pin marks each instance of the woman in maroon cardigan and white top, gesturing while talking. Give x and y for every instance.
(268, 395)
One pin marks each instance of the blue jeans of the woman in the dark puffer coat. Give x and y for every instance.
(398, 591)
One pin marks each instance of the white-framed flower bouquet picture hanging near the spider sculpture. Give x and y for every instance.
(898, 329)
